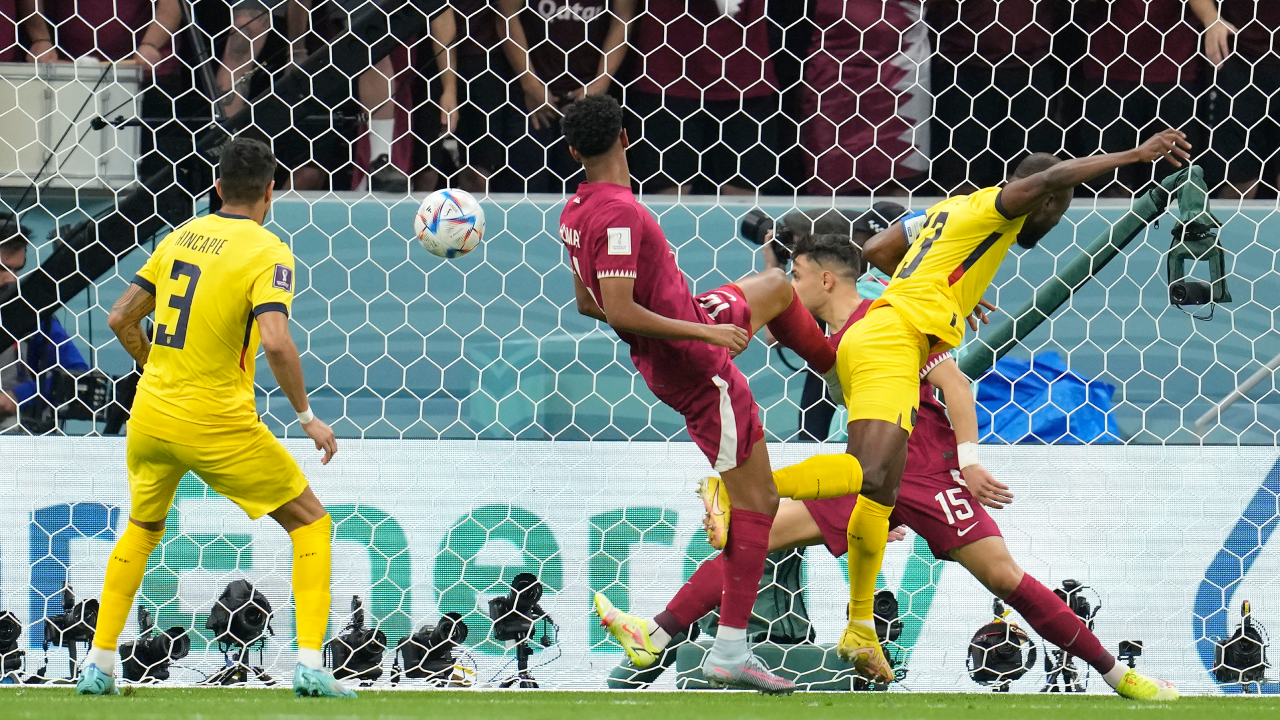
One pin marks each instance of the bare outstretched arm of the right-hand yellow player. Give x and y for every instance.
(1026, 195)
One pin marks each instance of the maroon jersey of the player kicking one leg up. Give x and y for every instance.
(610, 235)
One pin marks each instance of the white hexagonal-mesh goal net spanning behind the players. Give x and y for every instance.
(487, 430)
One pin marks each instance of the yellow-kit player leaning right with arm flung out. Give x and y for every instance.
(939, 279)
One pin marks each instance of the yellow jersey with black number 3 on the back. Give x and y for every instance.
(212, 279)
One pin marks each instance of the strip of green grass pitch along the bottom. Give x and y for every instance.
(157, 704)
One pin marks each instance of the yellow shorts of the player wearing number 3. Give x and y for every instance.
(255, 473)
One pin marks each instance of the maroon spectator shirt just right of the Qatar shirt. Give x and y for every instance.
(692, 51)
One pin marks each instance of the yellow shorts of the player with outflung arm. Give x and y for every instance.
(880, 362)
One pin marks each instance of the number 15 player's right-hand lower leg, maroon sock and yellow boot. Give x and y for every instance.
(990, 562)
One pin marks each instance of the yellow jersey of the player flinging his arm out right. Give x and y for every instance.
(952, 263)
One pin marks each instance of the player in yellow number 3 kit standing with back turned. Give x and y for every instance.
(220, 286)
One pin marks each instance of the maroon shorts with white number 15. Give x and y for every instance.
(938, 508)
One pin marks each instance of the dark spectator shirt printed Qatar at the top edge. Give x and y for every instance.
(566, 42)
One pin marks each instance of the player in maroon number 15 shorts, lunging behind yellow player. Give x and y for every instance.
(939, 499)
